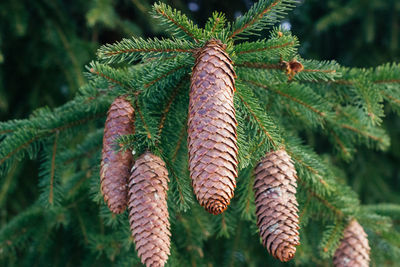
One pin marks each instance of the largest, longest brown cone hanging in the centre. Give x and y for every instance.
(212, 128)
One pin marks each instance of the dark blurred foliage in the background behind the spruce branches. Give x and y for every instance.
(45, 45)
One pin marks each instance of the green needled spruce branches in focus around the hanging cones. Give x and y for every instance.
(278, 97)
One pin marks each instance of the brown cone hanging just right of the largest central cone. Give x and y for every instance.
(276, 204)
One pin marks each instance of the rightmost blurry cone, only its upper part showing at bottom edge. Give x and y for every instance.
(353, 249)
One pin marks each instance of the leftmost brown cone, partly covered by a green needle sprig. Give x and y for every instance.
(115, 166)
